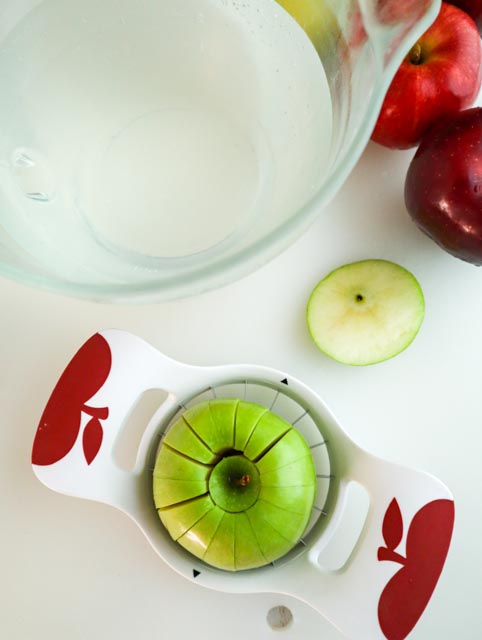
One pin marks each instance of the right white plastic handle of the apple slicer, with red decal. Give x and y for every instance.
(386, 584)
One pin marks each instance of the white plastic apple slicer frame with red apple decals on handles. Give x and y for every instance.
(382, 588)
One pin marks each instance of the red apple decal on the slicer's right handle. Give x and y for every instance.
(428, 539)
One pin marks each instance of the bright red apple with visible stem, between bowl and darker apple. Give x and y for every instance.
(440, 76)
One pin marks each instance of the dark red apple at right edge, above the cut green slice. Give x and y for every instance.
(443, 187)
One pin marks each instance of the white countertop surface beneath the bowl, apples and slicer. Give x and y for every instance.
(75, 569)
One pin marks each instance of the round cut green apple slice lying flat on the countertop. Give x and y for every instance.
(365, 312)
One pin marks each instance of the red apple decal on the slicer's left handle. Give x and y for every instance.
(60, 422)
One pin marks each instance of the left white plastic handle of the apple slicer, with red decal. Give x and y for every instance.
(76, 436)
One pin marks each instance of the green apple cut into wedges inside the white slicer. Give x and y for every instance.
(234, 484)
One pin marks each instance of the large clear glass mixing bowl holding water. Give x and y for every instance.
(156, 149)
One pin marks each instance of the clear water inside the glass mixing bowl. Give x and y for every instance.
(152, 130)
